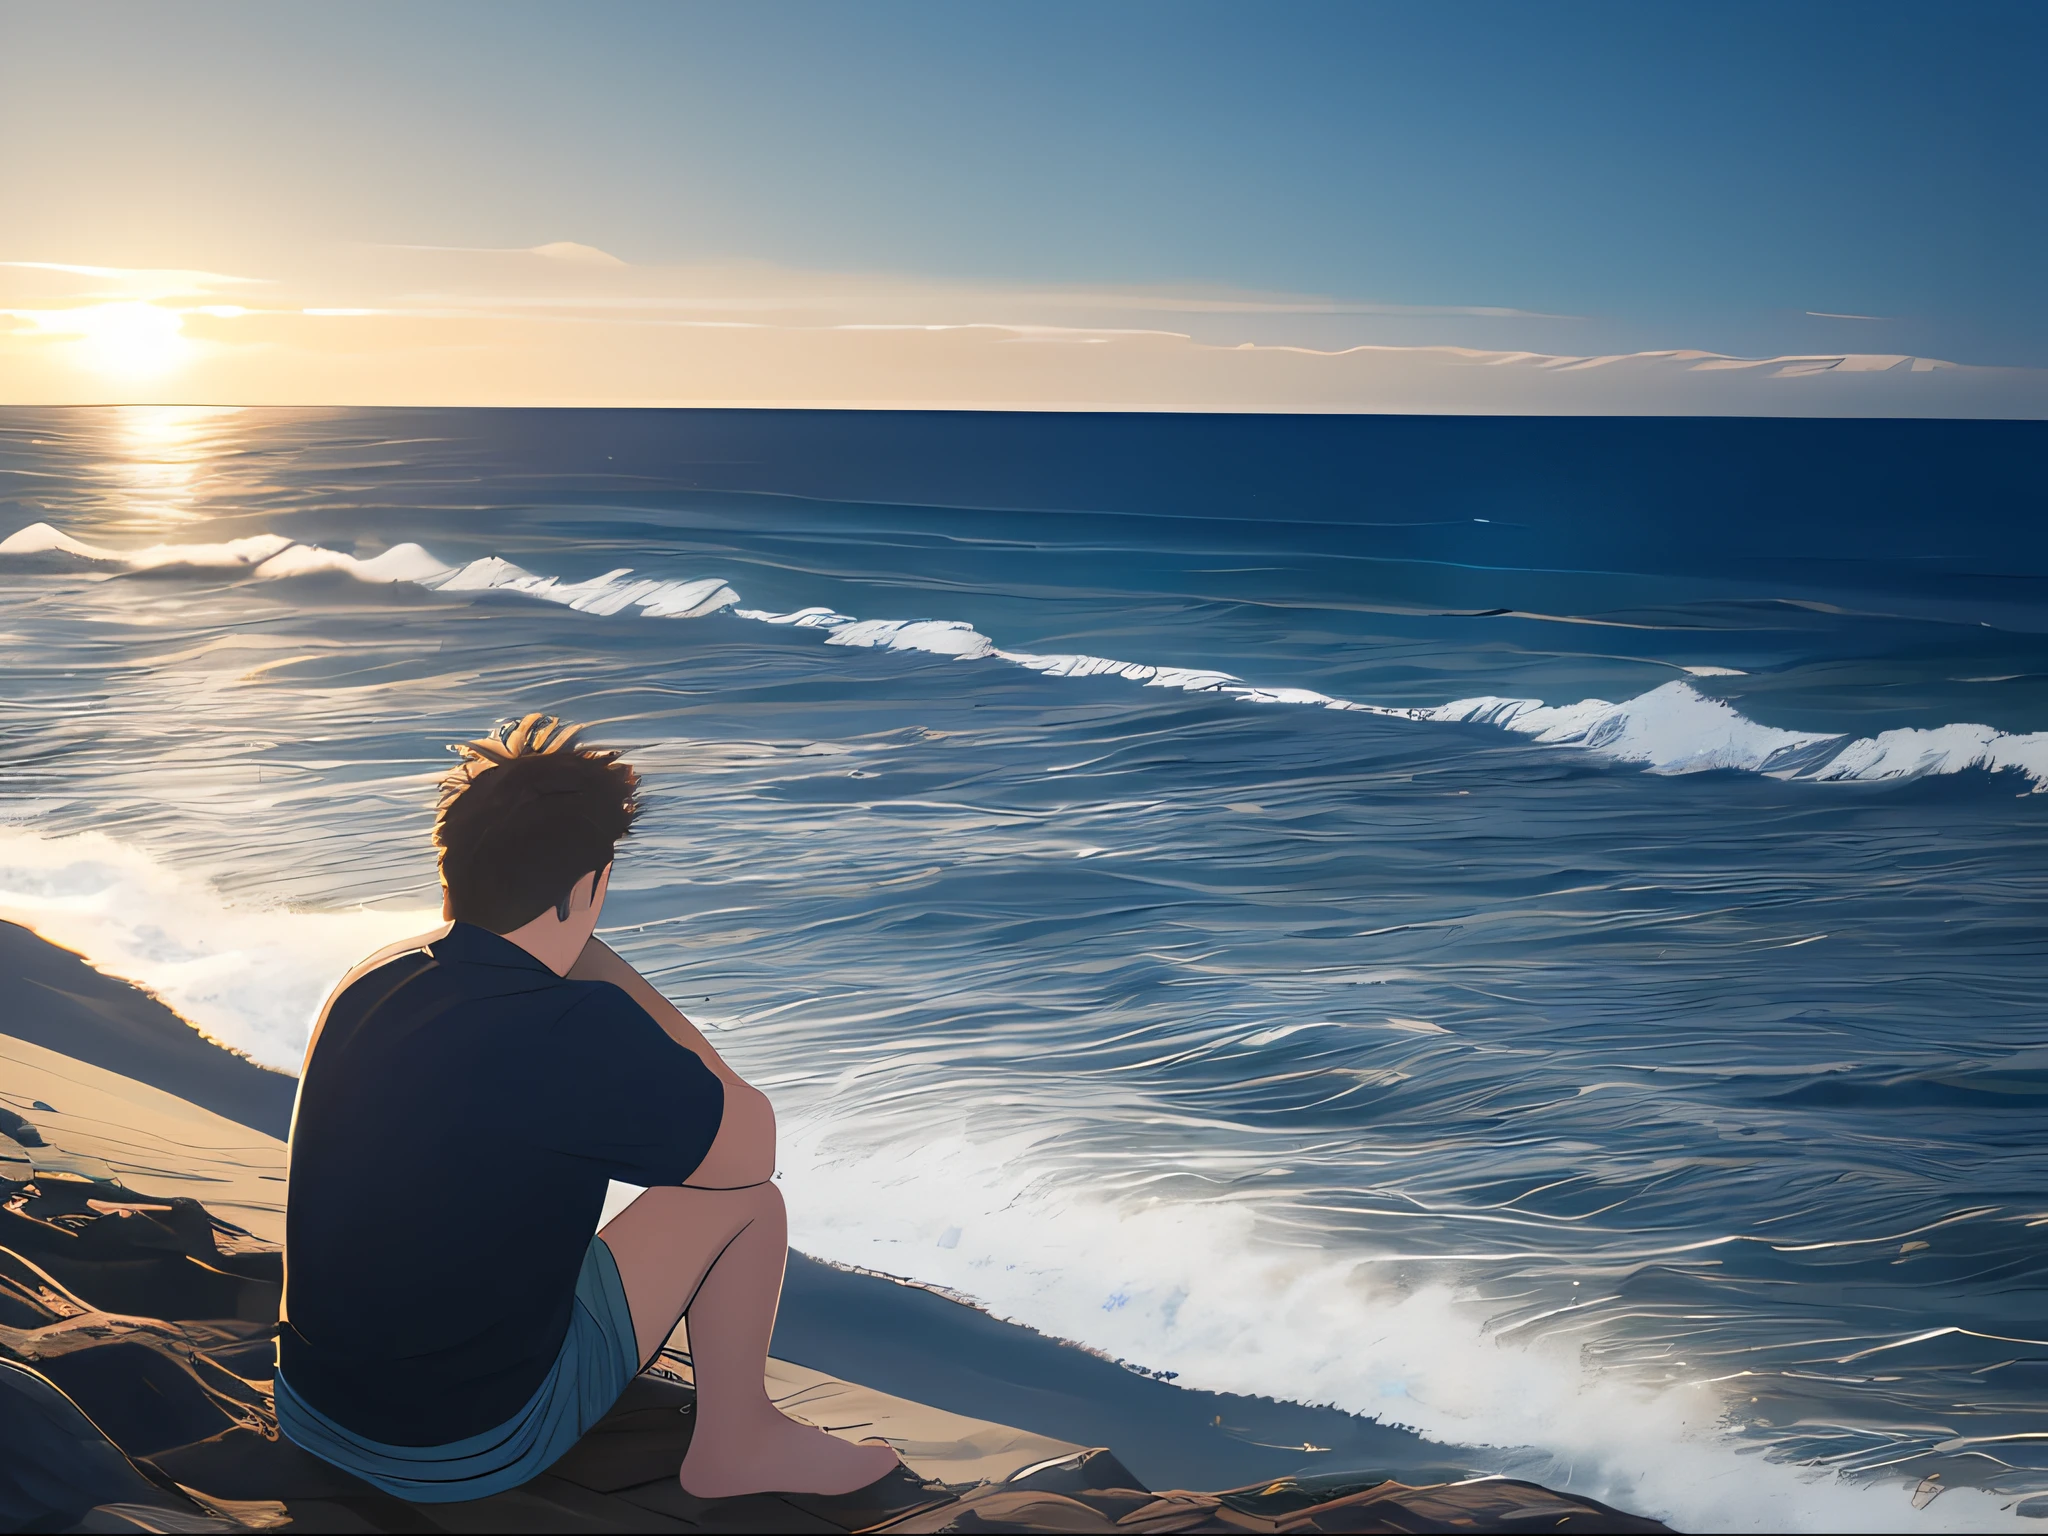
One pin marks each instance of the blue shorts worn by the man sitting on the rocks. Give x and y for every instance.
(595, 1365)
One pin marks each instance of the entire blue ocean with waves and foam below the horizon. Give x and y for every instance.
(1527, 929)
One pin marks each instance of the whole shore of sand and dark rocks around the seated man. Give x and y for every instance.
(140, 1271)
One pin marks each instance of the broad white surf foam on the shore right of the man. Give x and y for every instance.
(1201, 1289)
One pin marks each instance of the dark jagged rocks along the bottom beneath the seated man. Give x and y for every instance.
(163, 1420)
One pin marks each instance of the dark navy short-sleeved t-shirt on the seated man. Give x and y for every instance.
(458, 1123)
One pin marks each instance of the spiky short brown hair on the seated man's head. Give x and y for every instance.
(525, 816)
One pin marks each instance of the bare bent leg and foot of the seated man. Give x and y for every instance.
(718, 1258)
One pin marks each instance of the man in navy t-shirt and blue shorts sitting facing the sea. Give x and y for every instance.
(452, 1322)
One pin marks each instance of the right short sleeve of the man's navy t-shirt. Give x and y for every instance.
(634, 1101)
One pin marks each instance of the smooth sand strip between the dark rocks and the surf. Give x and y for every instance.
(214, 1125)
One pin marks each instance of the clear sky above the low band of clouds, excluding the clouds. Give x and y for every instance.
(1666, 175)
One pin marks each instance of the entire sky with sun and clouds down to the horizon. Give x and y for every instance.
(1142, 187)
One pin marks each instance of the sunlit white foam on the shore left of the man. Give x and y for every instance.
(253, 978)
